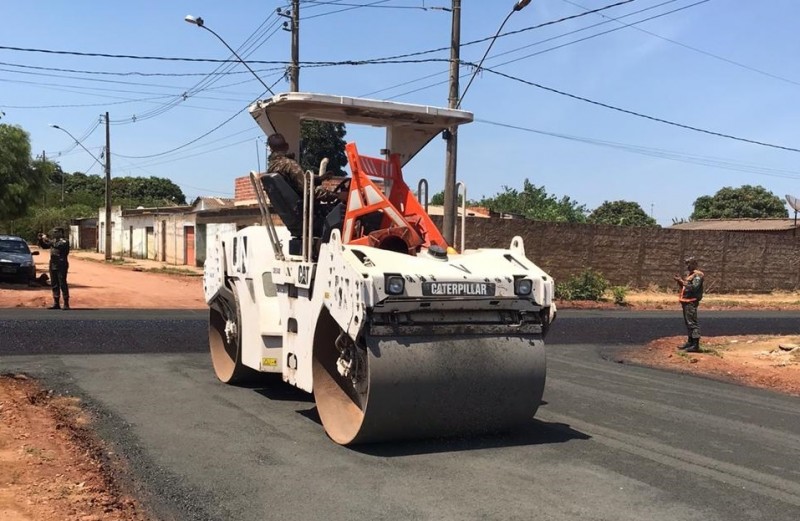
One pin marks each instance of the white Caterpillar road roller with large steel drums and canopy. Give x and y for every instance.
(397, 334)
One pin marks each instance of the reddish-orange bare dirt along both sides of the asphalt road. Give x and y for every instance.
(53, 467)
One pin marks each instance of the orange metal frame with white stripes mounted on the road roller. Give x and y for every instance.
(403, 215)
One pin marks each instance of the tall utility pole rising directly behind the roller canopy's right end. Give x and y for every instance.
(451, 135)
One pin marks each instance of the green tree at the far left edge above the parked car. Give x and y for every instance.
(20, 182)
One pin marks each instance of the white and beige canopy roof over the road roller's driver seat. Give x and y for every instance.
(408, 127)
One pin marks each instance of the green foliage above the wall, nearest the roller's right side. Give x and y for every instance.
(534, 202)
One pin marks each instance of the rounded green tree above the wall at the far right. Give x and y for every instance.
(744, 202)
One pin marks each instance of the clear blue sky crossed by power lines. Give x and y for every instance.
(721, 66)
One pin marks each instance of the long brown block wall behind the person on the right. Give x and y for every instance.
(732, 261)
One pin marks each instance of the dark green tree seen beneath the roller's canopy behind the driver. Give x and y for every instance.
(323, 139)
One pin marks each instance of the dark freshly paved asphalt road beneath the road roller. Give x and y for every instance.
(611, 441)
